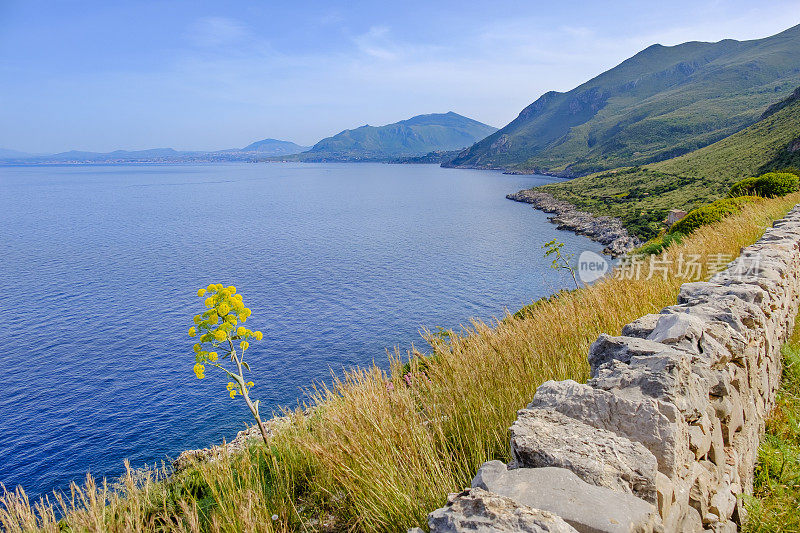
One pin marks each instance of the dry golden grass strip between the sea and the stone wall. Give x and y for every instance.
(374, 459)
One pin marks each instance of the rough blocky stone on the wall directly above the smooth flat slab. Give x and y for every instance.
(543, 437)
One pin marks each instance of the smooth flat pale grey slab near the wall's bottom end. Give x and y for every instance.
(585, 507)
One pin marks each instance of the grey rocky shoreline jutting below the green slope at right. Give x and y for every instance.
(608, 231)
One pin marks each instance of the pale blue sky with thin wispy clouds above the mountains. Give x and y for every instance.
(103, 75)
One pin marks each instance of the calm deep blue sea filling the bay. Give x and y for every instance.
(338, 262)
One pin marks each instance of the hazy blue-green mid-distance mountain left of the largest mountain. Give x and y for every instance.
(413, 137)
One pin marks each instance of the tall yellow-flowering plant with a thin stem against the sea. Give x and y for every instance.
(217, 330)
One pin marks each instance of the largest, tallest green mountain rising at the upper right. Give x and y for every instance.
(660, 103)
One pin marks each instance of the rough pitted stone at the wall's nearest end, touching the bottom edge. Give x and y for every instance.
(478, 511)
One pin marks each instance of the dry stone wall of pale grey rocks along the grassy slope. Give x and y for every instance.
(664, 436)
